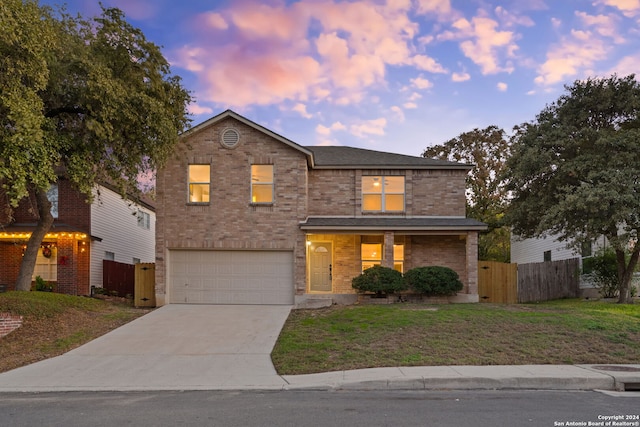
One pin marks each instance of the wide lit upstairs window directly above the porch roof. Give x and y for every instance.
(383, 193)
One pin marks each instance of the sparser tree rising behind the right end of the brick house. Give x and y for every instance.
(488, 149)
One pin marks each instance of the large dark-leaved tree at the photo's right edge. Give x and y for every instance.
(575, 171)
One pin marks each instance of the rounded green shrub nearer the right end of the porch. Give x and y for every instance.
(433, 281)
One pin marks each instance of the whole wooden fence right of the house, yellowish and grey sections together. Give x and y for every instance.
(521, 283)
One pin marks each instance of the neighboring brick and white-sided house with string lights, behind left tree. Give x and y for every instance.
(82, 236)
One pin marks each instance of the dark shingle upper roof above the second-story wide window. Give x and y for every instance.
(349, 157)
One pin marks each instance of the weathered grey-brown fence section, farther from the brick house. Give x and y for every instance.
(543, 281)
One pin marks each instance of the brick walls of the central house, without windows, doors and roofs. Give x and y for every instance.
(231, 221)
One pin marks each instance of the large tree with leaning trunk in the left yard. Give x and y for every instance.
(90, 101)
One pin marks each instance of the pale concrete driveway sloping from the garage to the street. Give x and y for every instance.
(176, 347)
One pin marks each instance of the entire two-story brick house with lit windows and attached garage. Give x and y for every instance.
(246, 216)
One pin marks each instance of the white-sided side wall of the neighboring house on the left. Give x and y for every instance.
(124, 232)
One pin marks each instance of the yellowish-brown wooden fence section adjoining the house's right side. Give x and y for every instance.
(497, 282)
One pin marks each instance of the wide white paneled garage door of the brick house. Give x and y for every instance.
(230, 277)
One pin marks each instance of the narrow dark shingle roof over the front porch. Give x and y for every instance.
(396, 224)
